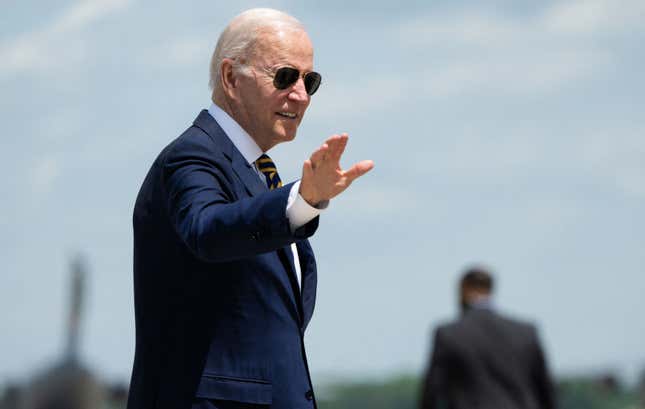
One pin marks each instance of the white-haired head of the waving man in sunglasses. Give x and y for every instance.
(249, 51)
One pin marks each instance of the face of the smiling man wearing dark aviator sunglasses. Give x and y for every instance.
(268, 114)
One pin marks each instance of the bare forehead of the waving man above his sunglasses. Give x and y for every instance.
(284, 47)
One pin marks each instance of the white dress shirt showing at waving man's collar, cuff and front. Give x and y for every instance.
(298, 211)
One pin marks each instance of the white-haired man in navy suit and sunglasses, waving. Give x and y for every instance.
(224, 277)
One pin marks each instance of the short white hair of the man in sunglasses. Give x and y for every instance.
(239, 38)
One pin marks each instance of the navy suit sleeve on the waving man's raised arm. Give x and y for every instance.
(211, 221)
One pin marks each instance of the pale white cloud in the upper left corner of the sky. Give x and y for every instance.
(57, 44)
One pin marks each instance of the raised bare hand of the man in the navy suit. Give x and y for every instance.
(322, 176)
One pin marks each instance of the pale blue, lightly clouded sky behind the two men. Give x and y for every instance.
(506, 133)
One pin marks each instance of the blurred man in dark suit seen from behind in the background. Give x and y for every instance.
(485, 360)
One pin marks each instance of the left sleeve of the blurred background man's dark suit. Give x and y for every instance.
(433, 393)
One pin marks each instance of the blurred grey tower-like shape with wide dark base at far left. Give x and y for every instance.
(67, 384)
